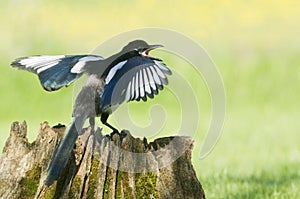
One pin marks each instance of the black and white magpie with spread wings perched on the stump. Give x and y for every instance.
(131, 74)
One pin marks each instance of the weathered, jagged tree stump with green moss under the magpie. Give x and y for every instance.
(114, 166)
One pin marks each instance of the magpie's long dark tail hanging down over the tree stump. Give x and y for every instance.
(63, 151)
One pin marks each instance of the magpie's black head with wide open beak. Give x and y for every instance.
(142, 48)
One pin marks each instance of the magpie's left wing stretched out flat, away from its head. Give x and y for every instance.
(55, 72)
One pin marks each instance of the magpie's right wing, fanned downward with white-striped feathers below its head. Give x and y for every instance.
(134, 79)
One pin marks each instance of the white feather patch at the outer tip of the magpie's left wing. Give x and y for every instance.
(40, 63)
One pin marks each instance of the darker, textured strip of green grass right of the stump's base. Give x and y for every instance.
(279, 182)
